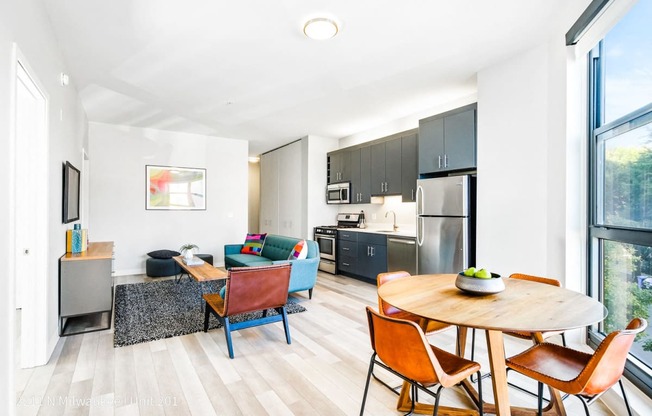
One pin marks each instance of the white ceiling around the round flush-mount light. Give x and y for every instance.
(244, 69)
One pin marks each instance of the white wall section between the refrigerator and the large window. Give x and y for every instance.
(523, 170)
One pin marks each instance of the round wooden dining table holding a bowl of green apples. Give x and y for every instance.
(522, 306)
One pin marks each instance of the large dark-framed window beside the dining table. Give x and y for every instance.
(620, 221)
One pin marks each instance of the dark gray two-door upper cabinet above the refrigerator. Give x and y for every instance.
(447, 141)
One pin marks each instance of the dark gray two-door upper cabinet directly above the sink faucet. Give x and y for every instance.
(386, 168)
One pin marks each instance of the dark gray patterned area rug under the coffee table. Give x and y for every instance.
(150, 311)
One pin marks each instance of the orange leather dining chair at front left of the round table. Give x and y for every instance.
(413, 359)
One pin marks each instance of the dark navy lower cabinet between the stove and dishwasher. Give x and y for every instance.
(361, 255)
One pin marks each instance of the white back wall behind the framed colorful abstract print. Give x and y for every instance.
(118, 156)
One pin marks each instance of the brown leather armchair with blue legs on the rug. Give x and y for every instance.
(251, 289)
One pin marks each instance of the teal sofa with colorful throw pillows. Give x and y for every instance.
(276, 250)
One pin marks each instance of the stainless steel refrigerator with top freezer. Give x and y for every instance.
(445, 224)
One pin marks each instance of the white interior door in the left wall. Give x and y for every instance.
(30, 213)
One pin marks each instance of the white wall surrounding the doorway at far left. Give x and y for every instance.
(25, 23)
